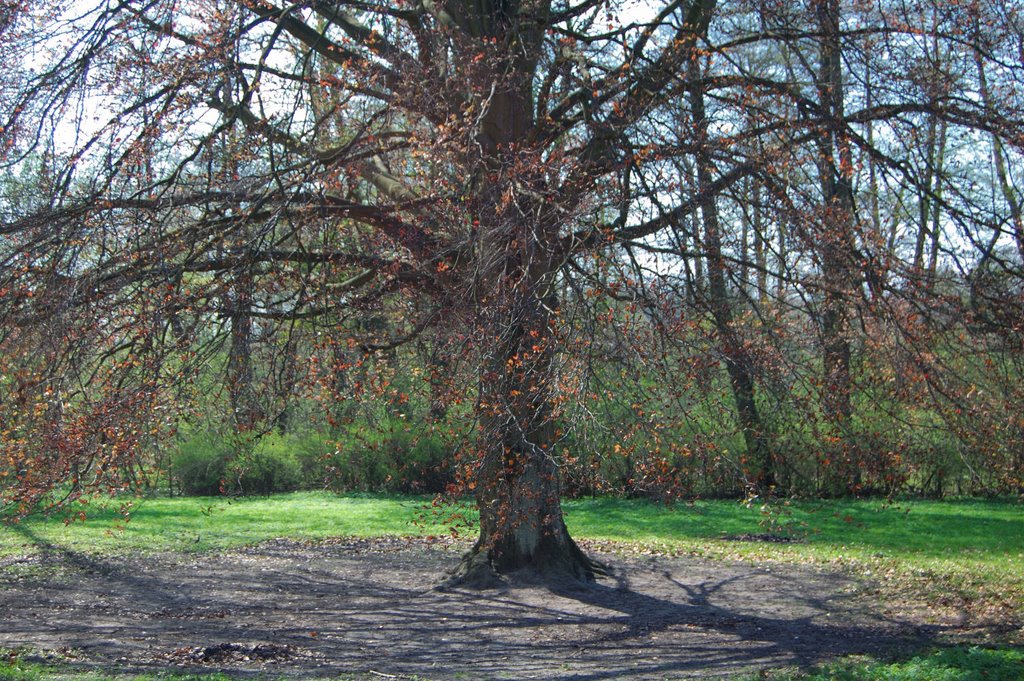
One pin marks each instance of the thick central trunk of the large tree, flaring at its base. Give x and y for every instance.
(518, 480)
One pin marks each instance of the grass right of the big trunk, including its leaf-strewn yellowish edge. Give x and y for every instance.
(962, 557)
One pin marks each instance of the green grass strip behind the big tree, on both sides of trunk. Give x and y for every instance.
(920, 534)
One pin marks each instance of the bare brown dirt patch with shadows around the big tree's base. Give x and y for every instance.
(369, 609)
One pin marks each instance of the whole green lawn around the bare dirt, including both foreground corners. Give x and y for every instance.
(969, 550)
